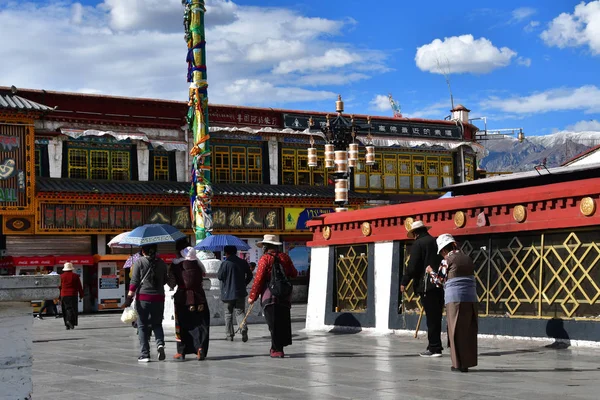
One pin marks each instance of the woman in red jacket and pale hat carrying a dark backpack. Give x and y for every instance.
(271, 282)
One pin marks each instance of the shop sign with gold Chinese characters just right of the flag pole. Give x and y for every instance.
(246, 218)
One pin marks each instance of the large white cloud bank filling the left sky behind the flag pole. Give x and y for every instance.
(136, 48)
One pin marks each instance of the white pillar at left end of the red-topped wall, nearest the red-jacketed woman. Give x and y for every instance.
(317, 290)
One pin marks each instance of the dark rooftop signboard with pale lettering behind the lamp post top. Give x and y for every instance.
(400, 128)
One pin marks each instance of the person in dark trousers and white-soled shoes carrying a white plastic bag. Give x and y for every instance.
(148, 287)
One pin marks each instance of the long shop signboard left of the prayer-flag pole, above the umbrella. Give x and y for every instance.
(107, 218)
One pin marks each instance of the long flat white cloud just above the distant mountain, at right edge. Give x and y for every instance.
(584, 98)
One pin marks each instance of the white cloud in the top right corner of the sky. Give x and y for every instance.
(581, 28)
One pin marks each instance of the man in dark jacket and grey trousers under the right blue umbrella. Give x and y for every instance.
(234, 274)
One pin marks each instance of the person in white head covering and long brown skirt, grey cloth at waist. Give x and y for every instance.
(457, 273)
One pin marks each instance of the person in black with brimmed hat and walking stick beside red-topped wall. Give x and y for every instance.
(424, 253)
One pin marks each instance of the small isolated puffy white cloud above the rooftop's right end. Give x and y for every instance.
(462, 54)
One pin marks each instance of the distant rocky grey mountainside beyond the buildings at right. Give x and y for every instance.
(508, 154)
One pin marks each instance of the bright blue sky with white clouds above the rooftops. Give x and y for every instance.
(530, 64)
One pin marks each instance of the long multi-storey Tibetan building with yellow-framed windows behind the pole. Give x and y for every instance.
(88, 167)
